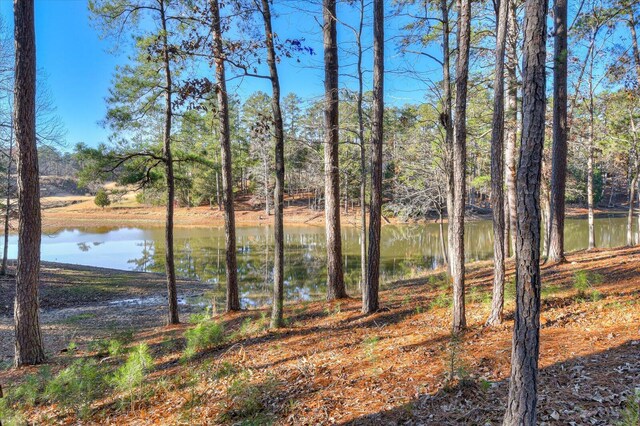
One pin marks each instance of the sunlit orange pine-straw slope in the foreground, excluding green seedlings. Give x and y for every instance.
(332, 365)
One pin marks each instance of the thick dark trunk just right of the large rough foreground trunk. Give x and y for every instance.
(560, 131)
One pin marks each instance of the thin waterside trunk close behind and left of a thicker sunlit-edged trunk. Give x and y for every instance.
(446, 119)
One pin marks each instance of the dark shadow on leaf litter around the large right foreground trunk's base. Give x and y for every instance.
(589, 389)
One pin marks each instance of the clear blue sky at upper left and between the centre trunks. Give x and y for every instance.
(78, 66)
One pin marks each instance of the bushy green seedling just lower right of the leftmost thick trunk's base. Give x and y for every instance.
(77, 386)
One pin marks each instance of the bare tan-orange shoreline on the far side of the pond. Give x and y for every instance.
(82, 211)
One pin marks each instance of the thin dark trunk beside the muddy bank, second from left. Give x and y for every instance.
(172, 291)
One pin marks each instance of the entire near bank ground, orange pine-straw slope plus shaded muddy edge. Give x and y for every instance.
(332, 365)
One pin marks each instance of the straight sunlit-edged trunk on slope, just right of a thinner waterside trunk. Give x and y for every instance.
(456, 253)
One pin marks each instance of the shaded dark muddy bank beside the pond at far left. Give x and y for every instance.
(82, 303)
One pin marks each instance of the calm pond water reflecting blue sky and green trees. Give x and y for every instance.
(406, 250)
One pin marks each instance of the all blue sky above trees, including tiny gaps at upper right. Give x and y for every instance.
(78, 66)
